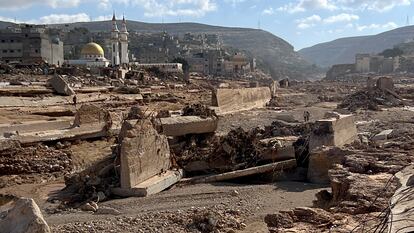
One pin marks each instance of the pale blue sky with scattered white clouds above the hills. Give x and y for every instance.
(301, 22)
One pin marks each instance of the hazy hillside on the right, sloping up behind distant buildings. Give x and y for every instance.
(343, 50)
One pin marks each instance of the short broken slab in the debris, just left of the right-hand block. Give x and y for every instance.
(277, 148)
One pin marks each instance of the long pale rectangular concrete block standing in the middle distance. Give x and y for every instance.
(232, 100)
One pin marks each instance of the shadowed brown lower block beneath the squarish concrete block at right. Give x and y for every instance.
(321, 160)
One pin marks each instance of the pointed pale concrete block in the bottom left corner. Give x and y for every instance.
(24, 216)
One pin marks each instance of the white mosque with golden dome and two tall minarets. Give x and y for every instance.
(93, 55)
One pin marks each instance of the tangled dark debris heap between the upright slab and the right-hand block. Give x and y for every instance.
(239, 149)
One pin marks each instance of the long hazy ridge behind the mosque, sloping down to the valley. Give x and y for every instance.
(274, 54)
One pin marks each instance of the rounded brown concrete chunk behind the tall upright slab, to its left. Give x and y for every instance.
(91, 114)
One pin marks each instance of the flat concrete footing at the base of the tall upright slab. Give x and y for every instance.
(151, 186)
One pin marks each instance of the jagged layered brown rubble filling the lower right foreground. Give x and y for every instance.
(362, 180)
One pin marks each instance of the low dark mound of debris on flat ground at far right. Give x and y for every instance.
(369, 100)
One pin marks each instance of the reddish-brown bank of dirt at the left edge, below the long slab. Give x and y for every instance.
(23, 164)
